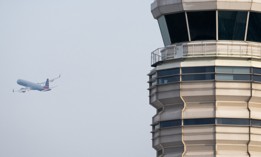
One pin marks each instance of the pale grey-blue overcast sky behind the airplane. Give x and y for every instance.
(102, 50)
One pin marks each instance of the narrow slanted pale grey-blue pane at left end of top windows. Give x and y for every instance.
(164, 30)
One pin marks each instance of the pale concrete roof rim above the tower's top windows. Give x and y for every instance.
(162, 7)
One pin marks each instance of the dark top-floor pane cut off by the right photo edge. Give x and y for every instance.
(254, 25)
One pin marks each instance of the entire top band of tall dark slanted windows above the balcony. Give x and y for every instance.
(193, 26)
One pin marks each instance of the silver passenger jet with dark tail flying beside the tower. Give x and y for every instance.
(43, 86)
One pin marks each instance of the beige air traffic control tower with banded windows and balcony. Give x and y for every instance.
(206, 81)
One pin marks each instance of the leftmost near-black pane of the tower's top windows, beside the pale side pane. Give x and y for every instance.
(177, 27)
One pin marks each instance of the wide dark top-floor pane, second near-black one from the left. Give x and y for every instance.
(202, 25)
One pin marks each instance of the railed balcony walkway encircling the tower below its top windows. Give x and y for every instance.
(245, 50)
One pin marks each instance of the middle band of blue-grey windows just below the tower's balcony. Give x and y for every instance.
(219, 73)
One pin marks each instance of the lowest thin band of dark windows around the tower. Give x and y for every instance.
(208, 121)
